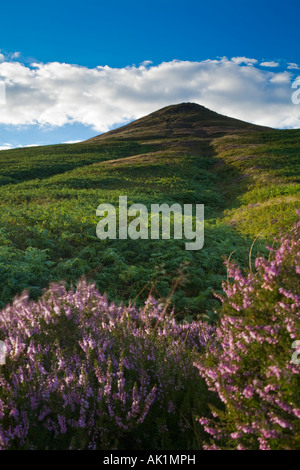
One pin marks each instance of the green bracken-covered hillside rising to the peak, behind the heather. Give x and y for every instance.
(247, 177)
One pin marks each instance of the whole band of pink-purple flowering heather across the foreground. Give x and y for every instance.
(81, 373)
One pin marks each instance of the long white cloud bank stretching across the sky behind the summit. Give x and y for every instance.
(55, 94)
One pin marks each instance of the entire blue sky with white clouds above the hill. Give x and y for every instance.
(71, 70)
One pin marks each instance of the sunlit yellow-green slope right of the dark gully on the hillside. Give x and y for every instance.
(267, 193)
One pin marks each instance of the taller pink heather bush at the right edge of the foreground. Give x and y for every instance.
(250, 366)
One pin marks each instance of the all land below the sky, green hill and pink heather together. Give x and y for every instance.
(86, 370)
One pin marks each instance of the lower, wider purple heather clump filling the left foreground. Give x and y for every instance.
(85, 374)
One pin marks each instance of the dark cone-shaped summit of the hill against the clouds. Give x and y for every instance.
(179, 120)
